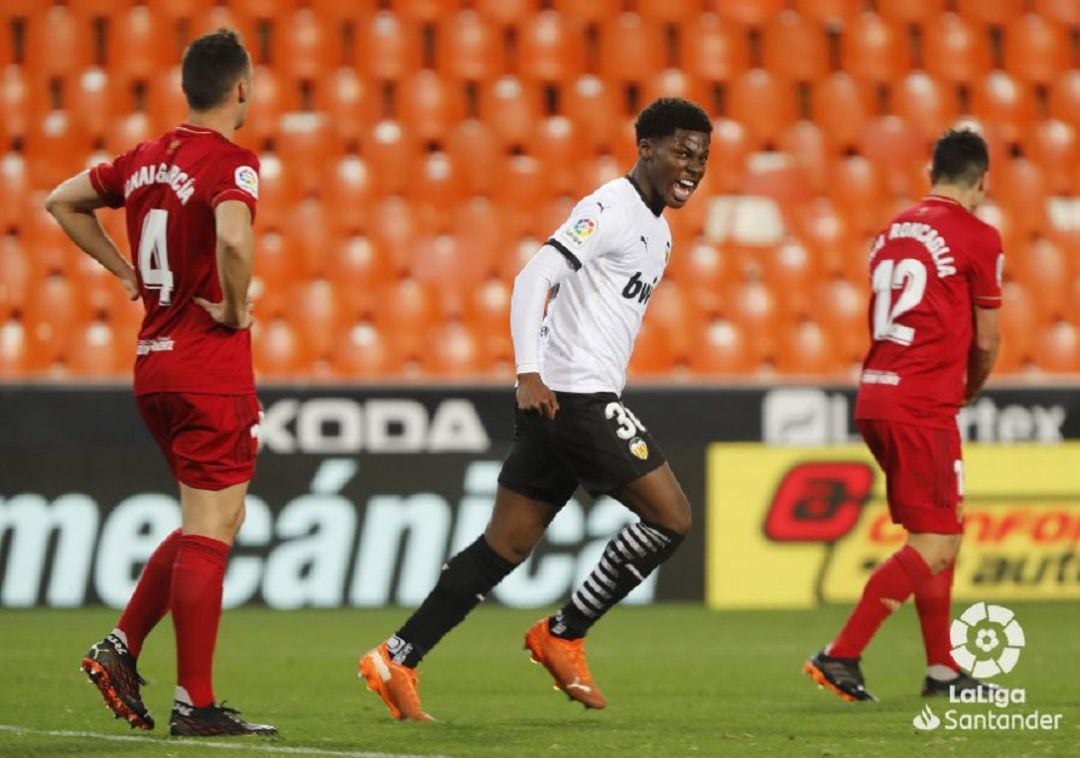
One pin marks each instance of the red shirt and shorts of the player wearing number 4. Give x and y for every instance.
(194, 377)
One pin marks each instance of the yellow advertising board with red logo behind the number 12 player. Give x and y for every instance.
(794, 527)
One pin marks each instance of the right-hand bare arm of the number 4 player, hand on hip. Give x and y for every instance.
(236, 255)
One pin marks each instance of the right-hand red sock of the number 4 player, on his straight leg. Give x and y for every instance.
(198, 580)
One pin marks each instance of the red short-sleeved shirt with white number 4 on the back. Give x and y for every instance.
(170, 188)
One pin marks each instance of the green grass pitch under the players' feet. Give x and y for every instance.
(681, 681)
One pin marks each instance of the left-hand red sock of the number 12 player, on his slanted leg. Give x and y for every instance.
(887, 589)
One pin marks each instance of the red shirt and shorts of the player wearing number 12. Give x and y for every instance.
(928, 269)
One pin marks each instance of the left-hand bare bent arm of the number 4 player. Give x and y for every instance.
(74, 205)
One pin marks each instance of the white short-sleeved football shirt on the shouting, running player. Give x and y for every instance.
(619, 250)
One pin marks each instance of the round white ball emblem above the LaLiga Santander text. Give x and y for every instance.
(987, 641)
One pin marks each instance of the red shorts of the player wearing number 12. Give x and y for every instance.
(924, 472)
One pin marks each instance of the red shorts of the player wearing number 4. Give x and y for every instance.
(210, 441)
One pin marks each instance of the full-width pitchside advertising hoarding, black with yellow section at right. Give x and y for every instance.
(362, 494)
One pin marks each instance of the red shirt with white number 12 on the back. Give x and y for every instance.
(928, 268)
